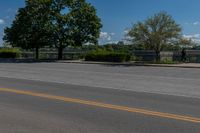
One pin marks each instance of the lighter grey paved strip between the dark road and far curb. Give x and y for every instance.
(172, 81)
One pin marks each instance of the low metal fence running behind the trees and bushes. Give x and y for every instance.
(140, 55)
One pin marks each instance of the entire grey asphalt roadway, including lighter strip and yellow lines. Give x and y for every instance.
(110, 99)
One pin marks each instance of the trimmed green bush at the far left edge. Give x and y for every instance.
(9, 53)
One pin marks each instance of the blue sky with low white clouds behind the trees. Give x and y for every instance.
(118, 16)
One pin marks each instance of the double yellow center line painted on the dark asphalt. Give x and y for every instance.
(104, 105)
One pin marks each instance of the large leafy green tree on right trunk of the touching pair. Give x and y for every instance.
(75, 23)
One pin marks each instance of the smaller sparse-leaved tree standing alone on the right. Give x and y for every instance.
(155, 32)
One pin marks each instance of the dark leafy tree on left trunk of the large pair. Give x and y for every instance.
(30, 29)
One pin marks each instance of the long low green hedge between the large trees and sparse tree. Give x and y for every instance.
(106, 56)
